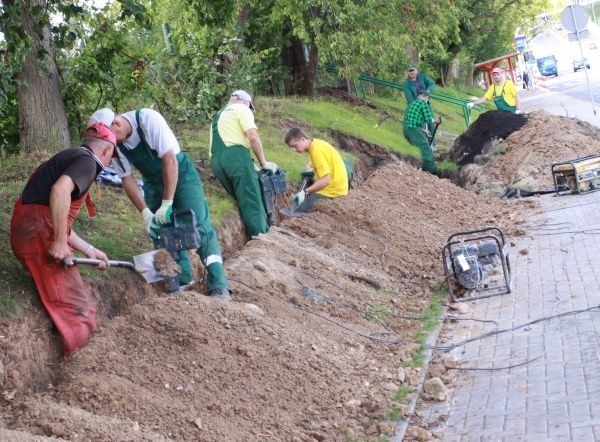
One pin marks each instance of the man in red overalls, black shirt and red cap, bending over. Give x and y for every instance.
(41, 234)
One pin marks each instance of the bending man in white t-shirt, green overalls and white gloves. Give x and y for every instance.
(171, 182)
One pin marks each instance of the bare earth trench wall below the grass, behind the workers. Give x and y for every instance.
(31, 355)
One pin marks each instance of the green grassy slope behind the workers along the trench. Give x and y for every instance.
(118, 229)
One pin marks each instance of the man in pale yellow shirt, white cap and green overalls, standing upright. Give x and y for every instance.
(233, 134)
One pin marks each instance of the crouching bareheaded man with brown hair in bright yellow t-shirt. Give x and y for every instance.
(330, 170)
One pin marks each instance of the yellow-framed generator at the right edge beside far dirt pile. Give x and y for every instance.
(577, 176)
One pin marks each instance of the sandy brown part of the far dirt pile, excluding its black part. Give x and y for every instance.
(525, 158)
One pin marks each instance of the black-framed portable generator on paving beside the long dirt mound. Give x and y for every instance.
(477, 261)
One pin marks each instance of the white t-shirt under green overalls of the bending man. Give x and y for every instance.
(157, 132)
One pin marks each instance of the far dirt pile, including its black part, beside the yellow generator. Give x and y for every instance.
(494, 157)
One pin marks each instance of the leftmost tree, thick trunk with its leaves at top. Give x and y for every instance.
(31, 64)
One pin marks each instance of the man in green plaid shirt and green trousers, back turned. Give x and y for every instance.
(418, 113)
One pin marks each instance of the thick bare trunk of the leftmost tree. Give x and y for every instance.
(42, 117)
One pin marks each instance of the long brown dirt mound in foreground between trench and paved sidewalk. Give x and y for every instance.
(315, 347)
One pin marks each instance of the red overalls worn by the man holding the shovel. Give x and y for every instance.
(67, 300)
